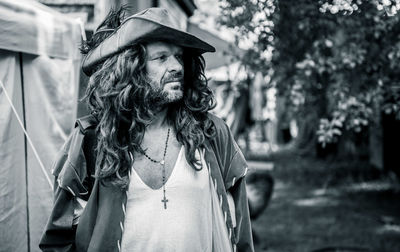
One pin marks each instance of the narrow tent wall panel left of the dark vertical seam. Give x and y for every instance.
(12, 170)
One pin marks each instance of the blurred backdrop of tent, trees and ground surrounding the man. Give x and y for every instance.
(309, 88)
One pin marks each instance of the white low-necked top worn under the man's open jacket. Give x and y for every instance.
(186, 224)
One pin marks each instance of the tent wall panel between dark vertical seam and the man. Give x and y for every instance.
(50, 89)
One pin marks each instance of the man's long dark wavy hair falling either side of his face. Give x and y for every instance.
(120, 95)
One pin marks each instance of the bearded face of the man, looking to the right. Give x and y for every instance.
(164, 67)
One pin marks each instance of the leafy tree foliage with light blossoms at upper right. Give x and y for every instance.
(337, 59)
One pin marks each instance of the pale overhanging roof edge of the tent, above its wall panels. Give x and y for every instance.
(37, 29)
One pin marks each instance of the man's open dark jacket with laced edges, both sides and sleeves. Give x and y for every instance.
(101, 223)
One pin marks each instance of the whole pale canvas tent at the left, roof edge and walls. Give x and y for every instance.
(39, 72)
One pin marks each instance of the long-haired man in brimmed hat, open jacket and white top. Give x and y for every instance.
(150, 169)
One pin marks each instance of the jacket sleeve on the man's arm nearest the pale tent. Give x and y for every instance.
(70, 182)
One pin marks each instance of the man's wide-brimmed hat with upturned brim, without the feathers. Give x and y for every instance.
(153, 24)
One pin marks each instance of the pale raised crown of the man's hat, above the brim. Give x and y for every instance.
(157, 15)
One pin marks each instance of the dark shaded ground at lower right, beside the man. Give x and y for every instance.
(362, 216)
